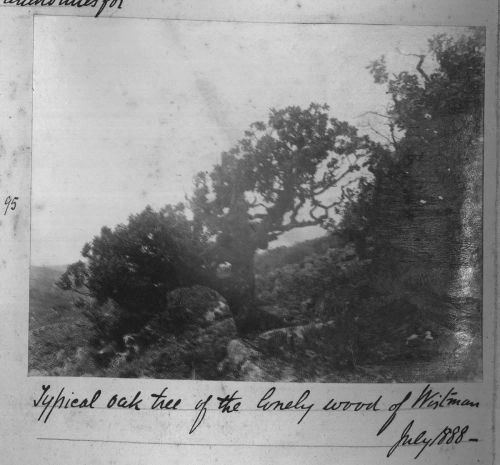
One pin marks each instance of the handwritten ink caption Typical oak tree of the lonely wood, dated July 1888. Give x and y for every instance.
(51, 400)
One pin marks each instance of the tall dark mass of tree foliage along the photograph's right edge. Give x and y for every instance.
(411, 212)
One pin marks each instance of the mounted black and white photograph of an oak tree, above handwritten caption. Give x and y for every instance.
(256, 202)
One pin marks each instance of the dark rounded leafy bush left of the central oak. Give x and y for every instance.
(136, 264)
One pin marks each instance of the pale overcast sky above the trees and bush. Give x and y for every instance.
(126, 111)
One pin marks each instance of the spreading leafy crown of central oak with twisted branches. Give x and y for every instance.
(283, 174)
